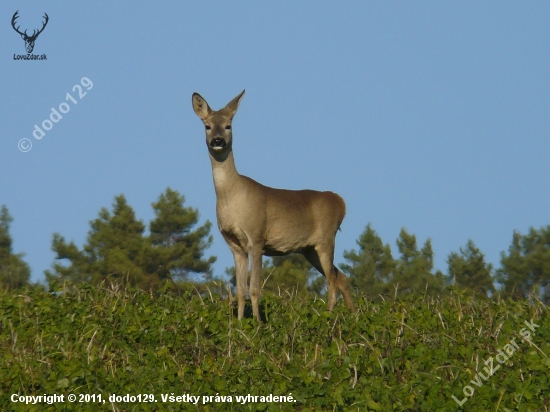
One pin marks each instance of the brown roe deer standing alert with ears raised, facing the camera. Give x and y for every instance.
(257, 220)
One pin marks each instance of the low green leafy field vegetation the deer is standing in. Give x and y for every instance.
(410, 354)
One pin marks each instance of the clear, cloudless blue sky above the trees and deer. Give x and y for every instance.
(432, 116)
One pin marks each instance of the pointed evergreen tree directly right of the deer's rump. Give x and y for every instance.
(370, 269)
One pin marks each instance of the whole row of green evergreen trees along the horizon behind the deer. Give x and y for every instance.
(171, 255)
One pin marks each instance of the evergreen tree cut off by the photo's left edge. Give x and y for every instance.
(14, 272)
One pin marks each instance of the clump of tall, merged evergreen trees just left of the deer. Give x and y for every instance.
(117, 249)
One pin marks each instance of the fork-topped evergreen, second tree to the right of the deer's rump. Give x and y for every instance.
(414, 267)
